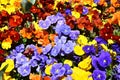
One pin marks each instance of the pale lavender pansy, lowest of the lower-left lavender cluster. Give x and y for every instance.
(24, 70)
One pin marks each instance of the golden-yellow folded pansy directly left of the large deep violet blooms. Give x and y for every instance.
(86, 63)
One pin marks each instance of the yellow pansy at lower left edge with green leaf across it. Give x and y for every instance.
(9, 63)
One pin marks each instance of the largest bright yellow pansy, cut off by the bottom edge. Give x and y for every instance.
(81, 74)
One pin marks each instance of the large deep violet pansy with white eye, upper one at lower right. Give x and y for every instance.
(104, 59)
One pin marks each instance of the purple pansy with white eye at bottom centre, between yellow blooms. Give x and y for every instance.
(58, 70)
